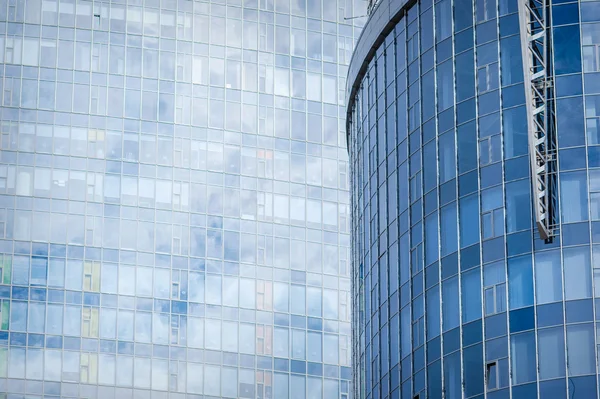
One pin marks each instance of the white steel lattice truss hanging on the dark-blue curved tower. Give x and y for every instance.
(536, 48)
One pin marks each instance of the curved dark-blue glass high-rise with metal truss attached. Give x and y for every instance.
(475, 177)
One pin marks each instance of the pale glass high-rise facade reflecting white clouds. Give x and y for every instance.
(174, 212)
